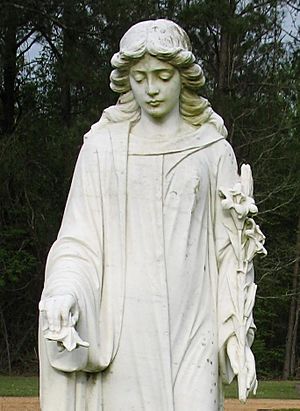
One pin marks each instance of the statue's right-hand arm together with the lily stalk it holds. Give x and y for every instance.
(237, 239)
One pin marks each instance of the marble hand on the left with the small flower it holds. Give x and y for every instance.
(59, 315)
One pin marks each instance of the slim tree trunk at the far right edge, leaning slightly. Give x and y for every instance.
(291, 339)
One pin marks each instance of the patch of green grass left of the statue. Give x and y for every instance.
(18, 386)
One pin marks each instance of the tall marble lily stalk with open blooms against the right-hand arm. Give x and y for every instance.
(247, 242)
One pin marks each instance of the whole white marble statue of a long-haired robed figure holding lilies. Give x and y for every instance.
(149, 287)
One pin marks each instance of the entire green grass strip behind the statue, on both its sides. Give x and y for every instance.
(28, 387)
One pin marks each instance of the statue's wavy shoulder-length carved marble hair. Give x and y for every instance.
(166, 41)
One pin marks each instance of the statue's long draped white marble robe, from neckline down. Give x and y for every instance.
(144, 249)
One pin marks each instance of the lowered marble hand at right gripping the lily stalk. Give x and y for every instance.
(233, 352)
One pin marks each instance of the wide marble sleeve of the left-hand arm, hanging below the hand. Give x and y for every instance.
(74, 264)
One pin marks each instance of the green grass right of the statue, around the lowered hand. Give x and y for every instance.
(270, 389)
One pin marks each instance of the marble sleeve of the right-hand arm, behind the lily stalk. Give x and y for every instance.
(227, 243)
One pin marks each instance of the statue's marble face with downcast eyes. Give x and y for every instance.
(156, 87)
